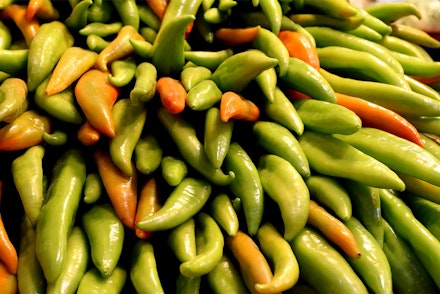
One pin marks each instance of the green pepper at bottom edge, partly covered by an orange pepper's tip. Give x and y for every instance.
(373, 266)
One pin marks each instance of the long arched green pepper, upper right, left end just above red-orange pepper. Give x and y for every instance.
(330, 37)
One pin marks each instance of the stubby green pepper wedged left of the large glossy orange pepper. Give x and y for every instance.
(61, 105)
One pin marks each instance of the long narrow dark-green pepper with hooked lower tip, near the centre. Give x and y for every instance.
(191, 149)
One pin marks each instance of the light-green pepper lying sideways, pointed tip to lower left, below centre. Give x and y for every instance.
(185, 200)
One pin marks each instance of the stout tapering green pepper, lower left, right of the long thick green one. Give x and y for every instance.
(105, 233)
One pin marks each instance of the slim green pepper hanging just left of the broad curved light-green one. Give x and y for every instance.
(246, 185)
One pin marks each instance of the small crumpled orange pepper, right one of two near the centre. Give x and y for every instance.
(233, 105)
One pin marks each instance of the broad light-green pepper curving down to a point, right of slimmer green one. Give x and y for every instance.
(286, 187)
